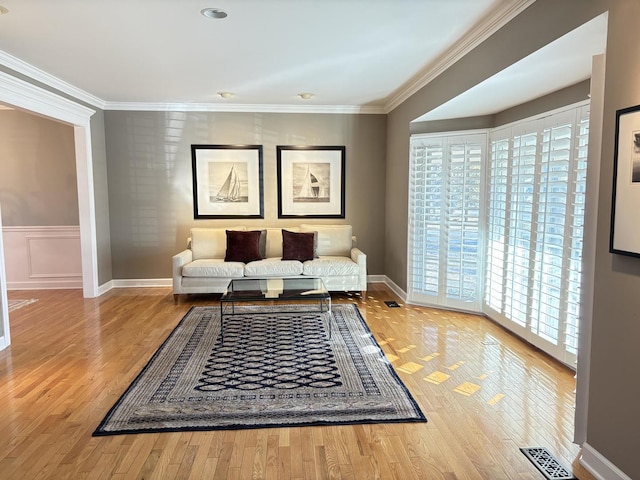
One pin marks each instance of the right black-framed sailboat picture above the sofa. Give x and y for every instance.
(311, 181)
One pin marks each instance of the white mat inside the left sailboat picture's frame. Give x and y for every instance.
(220, 160)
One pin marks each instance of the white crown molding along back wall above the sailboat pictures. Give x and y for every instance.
(243, 108)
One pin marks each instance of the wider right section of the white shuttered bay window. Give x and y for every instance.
(535, 216)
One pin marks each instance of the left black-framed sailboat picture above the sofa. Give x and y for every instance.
(227, 181)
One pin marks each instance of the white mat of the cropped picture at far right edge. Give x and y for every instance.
(626, 228)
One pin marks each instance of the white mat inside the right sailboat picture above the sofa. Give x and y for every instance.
(321, 158)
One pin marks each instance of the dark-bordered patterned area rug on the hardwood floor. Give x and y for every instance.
(272, 370)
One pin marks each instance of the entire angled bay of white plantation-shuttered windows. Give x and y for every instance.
(510, 246)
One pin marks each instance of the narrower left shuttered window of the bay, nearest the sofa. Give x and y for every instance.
(446, 200)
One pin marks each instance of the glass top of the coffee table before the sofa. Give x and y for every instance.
(256, 289)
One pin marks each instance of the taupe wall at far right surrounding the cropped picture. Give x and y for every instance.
(614, 420)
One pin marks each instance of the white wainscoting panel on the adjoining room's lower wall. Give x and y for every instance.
(42, 257)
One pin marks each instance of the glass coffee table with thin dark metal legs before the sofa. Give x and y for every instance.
(285, 293)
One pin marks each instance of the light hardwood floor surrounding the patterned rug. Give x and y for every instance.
(484, 392)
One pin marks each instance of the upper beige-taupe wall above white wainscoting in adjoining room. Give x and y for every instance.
(37, 171)
